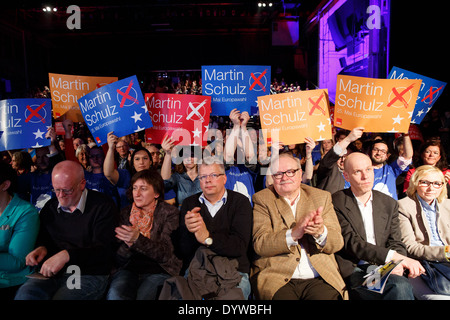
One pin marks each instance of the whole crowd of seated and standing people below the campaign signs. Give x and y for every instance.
(236, 219)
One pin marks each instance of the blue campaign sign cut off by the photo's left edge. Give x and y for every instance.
(24, 123)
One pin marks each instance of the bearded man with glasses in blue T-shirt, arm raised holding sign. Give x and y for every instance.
(386, 174)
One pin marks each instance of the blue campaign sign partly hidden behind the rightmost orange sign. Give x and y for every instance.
(430, 91)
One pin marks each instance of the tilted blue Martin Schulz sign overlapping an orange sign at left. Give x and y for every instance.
(118, 107)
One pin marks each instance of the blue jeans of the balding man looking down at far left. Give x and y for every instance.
(92, 287)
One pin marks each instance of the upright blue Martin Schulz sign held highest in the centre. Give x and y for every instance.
(235, 87)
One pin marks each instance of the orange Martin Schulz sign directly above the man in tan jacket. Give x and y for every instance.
(291, 117)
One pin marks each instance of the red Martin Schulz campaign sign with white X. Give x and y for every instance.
(184, 117)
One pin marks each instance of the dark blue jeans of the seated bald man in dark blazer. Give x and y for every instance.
(396, 288)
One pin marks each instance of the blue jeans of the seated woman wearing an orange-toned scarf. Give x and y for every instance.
(128, 285)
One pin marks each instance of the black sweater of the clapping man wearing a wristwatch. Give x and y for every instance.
(230, 229)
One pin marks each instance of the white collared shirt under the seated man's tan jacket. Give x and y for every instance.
(304, 269)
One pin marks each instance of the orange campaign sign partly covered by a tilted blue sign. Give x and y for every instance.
(67, 89)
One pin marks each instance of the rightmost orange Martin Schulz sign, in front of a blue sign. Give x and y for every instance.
(378, 105)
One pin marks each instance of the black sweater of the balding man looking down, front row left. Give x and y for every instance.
(88, 236)
